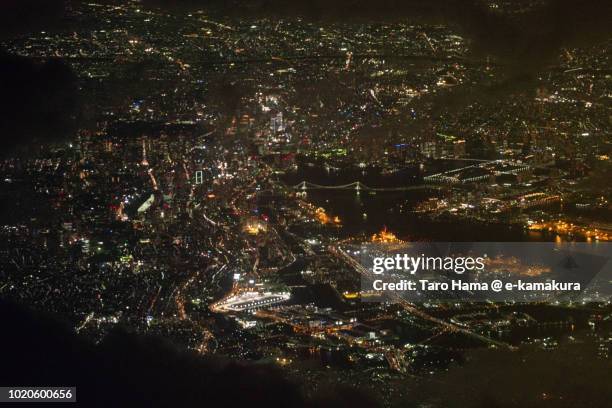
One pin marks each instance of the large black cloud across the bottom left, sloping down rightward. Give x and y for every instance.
(139, 371)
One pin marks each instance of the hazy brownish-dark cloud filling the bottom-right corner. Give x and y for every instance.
(571, 376)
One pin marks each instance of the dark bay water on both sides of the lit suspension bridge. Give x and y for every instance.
(367, 212)
